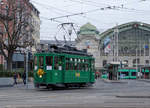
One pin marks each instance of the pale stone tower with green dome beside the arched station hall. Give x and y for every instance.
(88, 38)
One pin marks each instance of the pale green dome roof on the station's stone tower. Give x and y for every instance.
(88, 29)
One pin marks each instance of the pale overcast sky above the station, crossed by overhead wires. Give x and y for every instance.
(97, 12)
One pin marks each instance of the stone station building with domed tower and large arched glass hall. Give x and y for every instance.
(129, 42)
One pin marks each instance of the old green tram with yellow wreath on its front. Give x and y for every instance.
(63, 67)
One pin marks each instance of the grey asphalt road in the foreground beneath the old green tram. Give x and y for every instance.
(103, 94)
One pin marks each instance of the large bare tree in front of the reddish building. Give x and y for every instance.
(16, 28)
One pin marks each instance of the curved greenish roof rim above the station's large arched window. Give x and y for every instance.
(124, 27)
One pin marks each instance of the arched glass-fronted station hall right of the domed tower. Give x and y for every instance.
(128, 43)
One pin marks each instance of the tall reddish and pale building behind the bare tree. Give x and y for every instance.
(34, 27)
